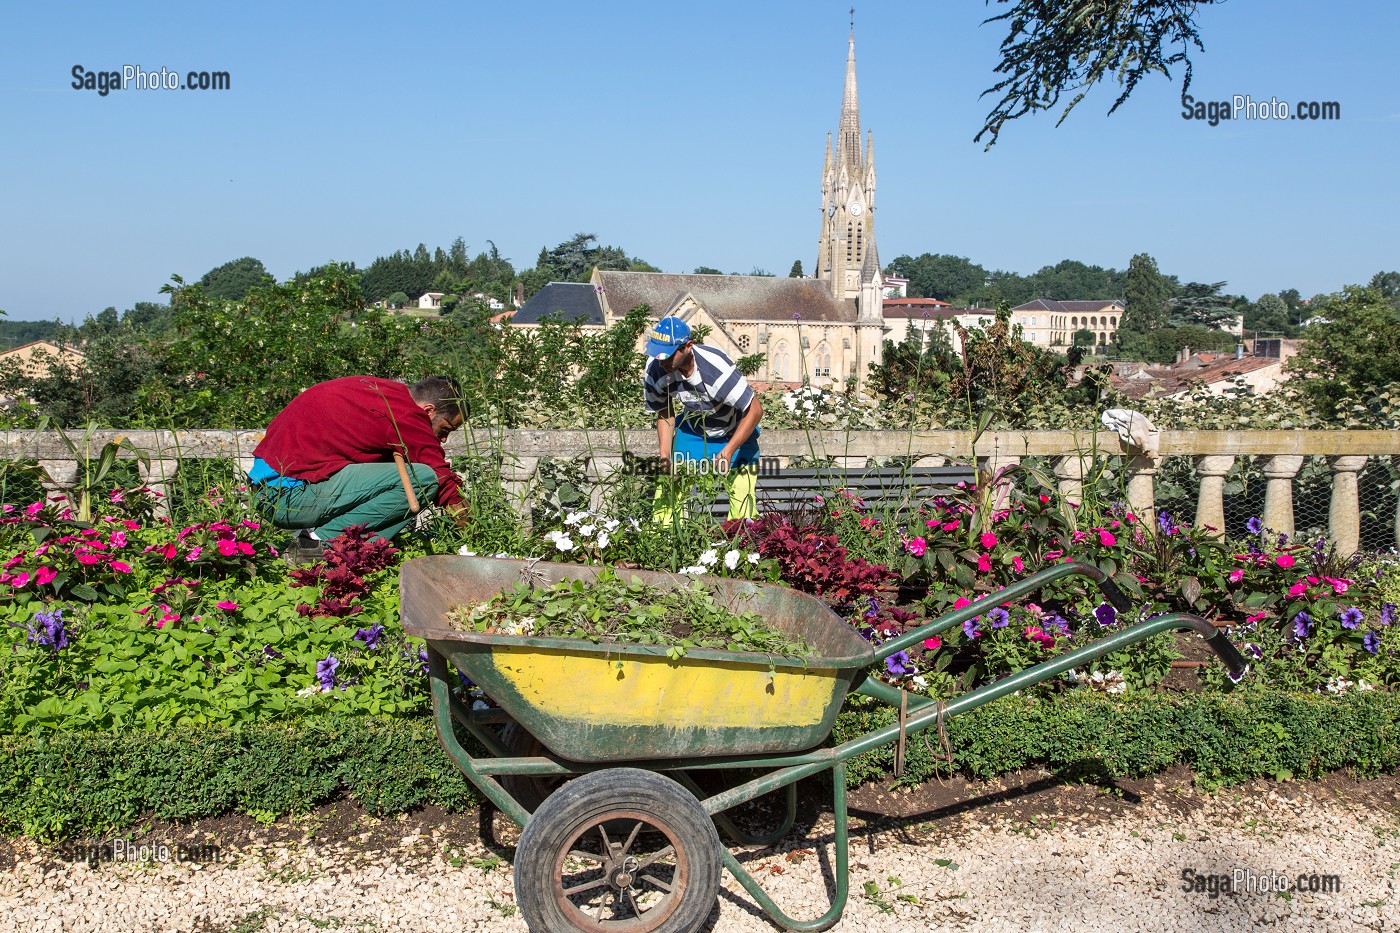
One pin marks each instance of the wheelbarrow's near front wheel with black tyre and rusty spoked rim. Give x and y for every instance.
(618, 850)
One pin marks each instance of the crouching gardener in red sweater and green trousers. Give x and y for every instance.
(327, 462)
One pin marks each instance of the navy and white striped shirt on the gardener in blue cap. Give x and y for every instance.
(715, 396)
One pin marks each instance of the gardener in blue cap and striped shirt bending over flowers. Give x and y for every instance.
(717, 420)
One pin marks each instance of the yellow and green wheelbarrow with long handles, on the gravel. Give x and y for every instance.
(600, 752)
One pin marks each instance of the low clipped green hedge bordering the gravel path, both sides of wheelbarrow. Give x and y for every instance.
(86, 784)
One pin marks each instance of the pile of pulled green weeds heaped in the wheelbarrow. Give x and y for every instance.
(615, 610)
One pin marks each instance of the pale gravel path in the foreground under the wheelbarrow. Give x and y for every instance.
(1076, 861)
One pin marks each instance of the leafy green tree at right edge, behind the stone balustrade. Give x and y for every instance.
(1352, 359)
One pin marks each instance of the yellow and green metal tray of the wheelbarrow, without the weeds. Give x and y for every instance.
(618, 703)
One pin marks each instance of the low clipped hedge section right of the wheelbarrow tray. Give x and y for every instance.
(1084, 736)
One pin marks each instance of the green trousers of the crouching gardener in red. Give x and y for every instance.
(369, 495)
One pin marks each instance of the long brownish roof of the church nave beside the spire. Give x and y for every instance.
(727, 298)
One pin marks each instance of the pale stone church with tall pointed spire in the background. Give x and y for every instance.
(827, 329)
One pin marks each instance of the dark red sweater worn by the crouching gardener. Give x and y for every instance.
(358, 420)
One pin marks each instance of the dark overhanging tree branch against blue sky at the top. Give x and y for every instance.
(1073, 46)
